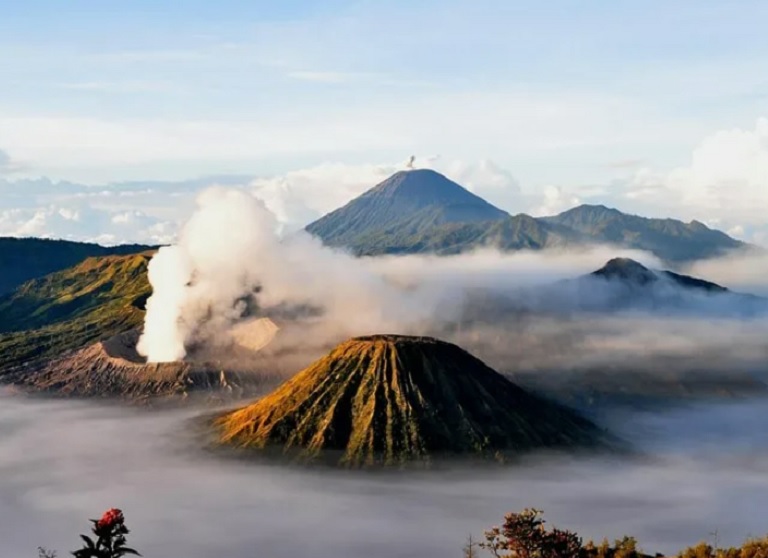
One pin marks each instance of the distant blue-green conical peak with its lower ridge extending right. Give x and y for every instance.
(415, 227)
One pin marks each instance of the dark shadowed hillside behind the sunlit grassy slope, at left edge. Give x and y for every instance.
(22, 259)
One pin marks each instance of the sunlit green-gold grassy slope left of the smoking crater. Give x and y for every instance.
(98, 298)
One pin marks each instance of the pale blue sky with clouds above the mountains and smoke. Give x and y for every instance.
(112, 115)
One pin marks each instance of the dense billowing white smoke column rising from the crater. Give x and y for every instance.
(220, 250)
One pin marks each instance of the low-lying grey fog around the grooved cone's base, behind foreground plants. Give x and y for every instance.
(64, 462)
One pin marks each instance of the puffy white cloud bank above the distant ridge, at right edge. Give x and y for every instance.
(724, 185)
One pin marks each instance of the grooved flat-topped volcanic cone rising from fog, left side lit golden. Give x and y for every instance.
(389, 399)
